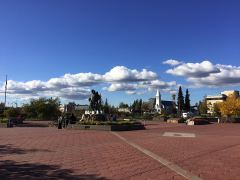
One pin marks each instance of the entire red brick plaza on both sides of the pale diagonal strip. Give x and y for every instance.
(49, 153)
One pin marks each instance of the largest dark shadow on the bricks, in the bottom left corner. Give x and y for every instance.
(14, 170)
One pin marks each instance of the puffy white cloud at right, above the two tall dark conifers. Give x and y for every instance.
(207, 74)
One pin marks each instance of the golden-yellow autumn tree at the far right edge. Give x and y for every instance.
(230, 107)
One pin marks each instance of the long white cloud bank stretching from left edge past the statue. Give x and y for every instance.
(77, 86)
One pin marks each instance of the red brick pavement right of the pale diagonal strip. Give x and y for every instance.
(213, 154)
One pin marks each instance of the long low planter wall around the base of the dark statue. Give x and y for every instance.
(107, 127)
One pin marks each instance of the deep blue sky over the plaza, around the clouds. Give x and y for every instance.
(40, 40)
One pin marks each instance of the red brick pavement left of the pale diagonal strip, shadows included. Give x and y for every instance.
(48, 153)
